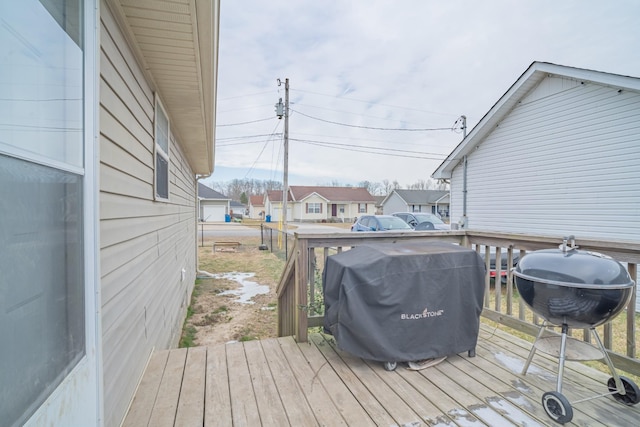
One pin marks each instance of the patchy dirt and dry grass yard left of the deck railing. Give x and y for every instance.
(218, 316)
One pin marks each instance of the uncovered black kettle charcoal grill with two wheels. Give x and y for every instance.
(578, 289)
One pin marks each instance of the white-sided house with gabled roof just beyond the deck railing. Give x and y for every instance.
(558, 154)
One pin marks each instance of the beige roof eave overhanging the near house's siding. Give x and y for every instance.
(181, 67)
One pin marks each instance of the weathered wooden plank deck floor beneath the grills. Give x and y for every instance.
(278, 382)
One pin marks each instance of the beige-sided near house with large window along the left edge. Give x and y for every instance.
(99, 196)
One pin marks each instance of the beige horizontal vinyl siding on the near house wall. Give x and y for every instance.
(144, 244)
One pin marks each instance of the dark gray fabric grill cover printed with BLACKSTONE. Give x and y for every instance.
(399, 302)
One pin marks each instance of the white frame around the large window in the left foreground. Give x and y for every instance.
(77, 400)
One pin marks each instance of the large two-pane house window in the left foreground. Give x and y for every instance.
(42, 288)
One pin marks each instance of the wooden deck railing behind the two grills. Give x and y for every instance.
(300, 288)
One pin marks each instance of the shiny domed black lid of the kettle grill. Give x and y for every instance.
(568, 266)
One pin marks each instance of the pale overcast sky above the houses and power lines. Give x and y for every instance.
(408, 68)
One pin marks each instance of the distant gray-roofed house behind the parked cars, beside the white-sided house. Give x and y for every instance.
(428, 201)
